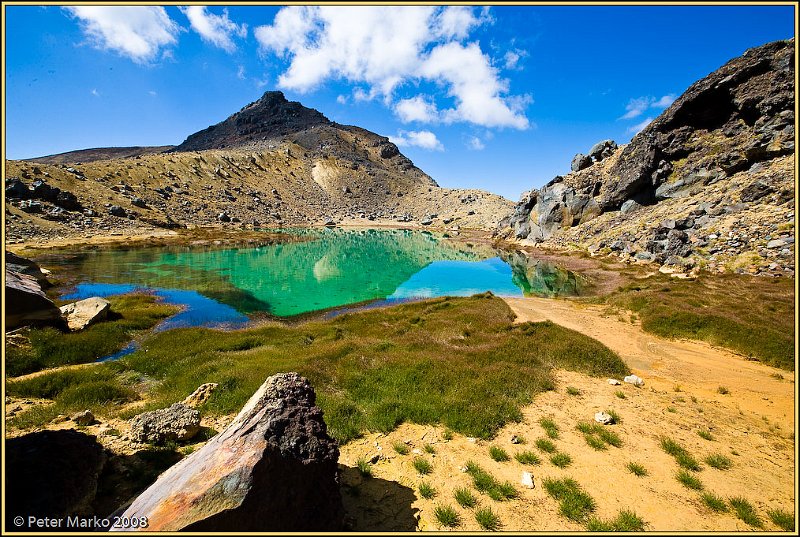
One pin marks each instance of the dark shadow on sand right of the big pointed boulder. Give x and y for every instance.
(374, 504)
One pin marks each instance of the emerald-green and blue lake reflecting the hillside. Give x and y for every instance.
(329, 268)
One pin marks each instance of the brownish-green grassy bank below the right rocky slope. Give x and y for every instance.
(750, 315)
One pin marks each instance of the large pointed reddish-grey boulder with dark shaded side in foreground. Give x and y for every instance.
(274, 468)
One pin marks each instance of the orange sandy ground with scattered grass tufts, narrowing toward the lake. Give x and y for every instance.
(753, 425)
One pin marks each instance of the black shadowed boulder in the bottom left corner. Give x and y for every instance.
(51, 474)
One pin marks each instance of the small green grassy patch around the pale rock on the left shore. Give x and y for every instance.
(50, 347)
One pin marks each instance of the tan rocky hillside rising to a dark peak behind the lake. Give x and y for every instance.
(273, 163)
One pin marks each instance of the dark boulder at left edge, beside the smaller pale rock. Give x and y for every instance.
(26, 303)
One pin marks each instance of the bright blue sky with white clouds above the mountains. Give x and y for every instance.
(498, 98)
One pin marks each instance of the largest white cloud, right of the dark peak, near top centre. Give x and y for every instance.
(386, 47)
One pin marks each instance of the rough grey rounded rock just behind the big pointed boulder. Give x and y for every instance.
(177, 423)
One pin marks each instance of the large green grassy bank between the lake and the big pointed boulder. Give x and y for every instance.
(456, 361)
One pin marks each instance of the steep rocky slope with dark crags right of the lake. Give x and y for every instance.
(709, 183)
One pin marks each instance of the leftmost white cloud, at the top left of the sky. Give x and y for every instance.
(137, 32)
